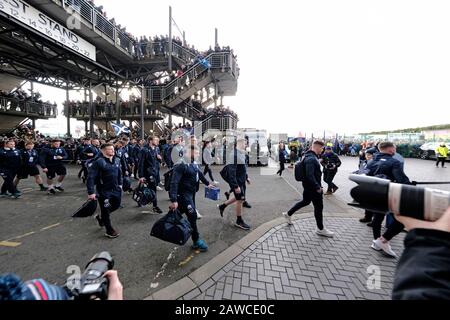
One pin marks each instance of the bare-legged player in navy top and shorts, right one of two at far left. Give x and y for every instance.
(51, 161)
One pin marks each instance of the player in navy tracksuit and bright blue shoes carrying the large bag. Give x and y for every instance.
(183, 186)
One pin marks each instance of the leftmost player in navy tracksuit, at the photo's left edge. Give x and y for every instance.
(10, 161)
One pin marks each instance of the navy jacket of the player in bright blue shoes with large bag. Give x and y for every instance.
(184, 180)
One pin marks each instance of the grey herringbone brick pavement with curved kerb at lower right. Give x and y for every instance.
(292, 262)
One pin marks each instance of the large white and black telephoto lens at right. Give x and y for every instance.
(381, 195)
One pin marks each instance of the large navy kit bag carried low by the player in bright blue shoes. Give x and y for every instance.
(172, 228)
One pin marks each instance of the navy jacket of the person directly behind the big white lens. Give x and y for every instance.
(385, 165)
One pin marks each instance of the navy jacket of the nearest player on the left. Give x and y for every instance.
(106, 175)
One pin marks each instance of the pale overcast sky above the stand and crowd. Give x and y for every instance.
(342, 66)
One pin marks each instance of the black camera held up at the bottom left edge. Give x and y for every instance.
(93, 284)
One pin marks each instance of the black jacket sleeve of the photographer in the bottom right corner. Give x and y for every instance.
(423, 271)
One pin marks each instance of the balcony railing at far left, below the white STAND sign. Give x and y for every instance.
(27, 108)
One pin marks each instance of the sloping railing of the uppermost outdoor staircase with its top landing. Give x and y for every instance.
(217, 60)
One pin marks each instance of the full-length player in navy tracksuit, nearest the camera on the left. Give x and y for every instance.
(105, 172)
